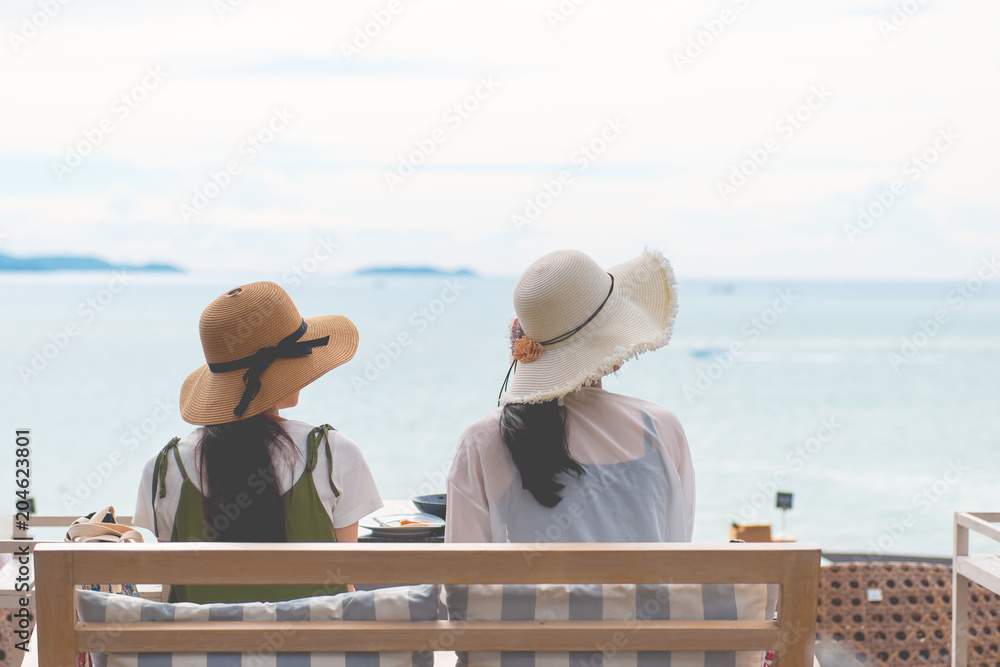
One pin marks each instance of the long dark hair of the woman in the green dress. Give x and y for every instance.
(242, 502)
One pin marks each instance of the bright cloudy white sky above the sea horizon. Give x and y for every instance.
(847, 140)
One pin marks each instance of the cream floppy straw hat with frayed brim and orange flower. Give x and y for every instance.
(580, 321)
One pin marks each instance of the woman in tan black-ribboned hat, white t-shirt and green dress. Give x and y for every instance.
(248, 475)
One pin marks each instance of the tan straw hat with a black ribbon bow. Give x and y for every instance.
(259, 350)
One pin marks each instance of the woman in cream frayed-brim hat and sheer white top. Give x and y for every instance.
(564, 460)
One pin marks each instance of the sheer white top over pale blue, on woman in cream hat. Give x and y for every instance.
(638, 485)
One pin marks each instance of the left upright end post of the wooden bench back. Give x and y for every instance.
(56, 608)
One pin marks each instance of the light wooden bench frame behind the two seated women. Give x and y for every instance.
(794, 567)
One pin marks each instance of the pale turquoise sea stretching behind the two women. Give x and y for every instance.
(876, 405)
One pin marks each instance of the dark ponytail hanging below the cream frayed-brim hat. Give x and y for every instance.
(535, 435)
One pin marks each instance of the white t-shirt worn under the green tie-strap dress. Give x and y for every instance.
(358, 494)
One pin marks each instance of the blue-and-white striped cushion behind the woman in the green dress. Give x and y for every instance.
(403, 603)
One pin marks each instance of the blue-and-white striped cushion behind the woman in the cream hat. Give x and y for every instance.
(626, 602)
